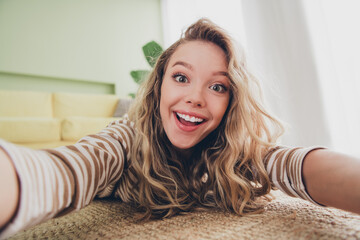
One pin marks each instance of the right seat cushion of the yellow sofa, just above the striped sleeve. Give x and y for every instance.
(74, 128)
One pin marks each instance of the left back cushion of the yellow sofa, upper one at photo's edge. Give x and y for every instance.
(25, 104)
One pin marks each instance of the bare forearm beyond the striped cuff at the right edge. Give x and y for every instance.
(333, 179)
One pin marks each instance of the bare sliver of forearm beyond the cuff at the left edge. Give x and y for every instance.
(9, 189)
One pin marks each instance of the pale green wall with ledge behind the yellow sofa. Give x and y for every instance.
(82, 45)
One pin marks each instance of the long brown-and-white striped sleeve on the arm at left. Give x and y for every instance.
(57, 181)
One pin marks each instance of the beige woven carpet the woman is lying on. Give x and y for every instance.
(284, 218)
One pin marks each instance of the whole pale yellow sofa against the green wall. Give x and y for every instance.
(47, 120)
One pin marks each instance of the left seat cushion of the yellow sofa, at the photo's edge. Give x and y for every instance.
(22, 130)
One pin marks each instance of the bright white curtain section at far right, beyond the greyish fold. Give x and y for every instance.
(335, 36)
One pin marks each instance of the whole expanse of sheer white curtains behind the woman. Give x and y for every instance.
(293, 47)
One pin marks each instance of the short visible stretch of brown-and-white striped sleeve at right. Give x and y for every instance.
(284, 167)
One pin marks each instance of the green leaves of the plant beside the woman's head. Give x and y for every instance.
(152, 51)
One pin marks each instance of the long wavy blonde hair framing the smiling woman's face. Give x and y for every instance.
(161, 184)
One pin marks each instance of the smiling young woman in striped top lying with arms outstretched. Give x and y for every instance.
(197, 137)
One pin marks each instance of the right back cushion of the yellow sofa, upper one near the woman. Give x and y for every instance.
(87, 105)
